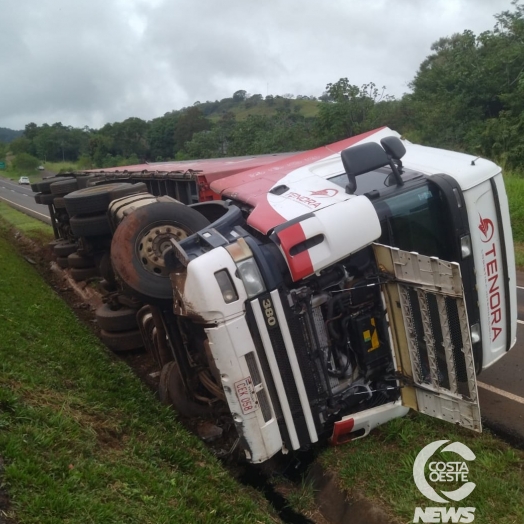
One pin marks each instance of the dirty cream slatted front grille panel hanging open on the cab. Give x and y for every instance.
(430, 335)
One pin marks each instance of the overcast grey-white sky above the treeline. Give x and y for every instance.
(89, 62)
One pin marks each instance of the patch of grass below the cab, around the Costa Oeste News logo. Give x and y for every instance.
(380, 467)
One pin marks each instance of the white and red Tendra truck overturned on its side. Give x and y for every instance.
(312, 296)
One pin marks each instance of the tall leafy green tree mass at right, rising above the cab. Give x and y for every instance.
(467, 94)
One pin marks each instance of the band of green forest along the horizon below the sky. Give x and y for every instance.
(467, 95)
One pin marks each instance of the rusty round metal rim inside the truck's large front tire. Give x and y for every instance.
(153, 244)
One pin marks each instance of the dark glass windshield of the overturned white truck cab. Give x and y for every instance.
(417, 220)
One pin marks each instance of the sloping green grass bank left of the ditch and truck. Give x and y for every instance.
(81, 438)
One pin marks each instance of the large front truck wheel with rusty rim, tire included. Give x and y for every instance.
(138, 244)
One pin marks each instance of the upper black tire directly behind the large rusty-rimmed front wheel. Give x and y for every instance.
(96, 199)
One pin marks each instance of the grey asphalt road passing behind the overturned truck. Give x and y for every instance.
(500, 387)
